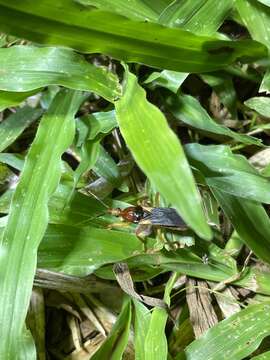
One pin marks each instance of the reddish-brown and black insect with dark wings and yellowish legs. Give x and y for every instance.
(147, 218)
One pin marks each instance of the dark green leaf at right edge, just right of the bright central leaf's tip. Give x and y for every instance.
(250, 220)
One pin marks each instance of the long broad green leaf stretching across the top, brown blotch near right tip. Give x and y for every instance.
(96, 31)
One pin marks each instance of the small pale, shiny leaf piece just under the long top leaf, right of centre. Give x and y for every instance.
(172, 80)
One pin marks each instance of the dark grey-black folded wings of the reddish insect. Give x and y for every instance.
(167, 217)
